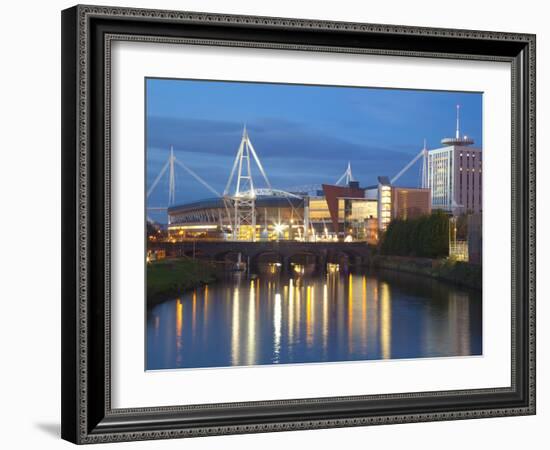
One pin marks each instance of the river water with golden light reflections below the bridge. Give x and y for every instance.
(300, 317)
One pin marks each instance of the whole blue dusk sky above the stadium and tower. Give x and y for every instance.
(302, 134)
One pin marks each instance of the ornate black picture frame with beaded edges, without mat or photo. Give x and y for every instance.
(87, 34)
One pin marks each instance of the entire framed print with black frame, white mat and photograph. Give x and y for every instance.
(281, 224)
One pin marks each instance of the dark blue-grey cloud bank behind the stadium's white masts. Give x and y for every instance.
(291, 153)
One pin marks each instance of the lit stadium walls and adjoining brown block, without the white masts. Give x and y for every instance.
(349, 213)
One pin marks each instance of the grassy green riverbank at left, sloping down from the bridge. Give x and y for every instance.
(170, 277)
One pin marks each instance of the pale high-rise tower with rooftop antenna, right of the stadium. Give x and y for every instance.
(454, 174)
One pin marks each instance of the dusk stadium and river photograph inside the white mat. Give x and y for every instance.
(295, 223)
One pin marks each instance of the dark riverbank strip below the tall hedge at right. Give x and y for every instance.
(458, 272)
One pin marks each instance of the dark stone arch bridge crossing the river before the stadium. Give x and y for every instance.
(283, 252)
